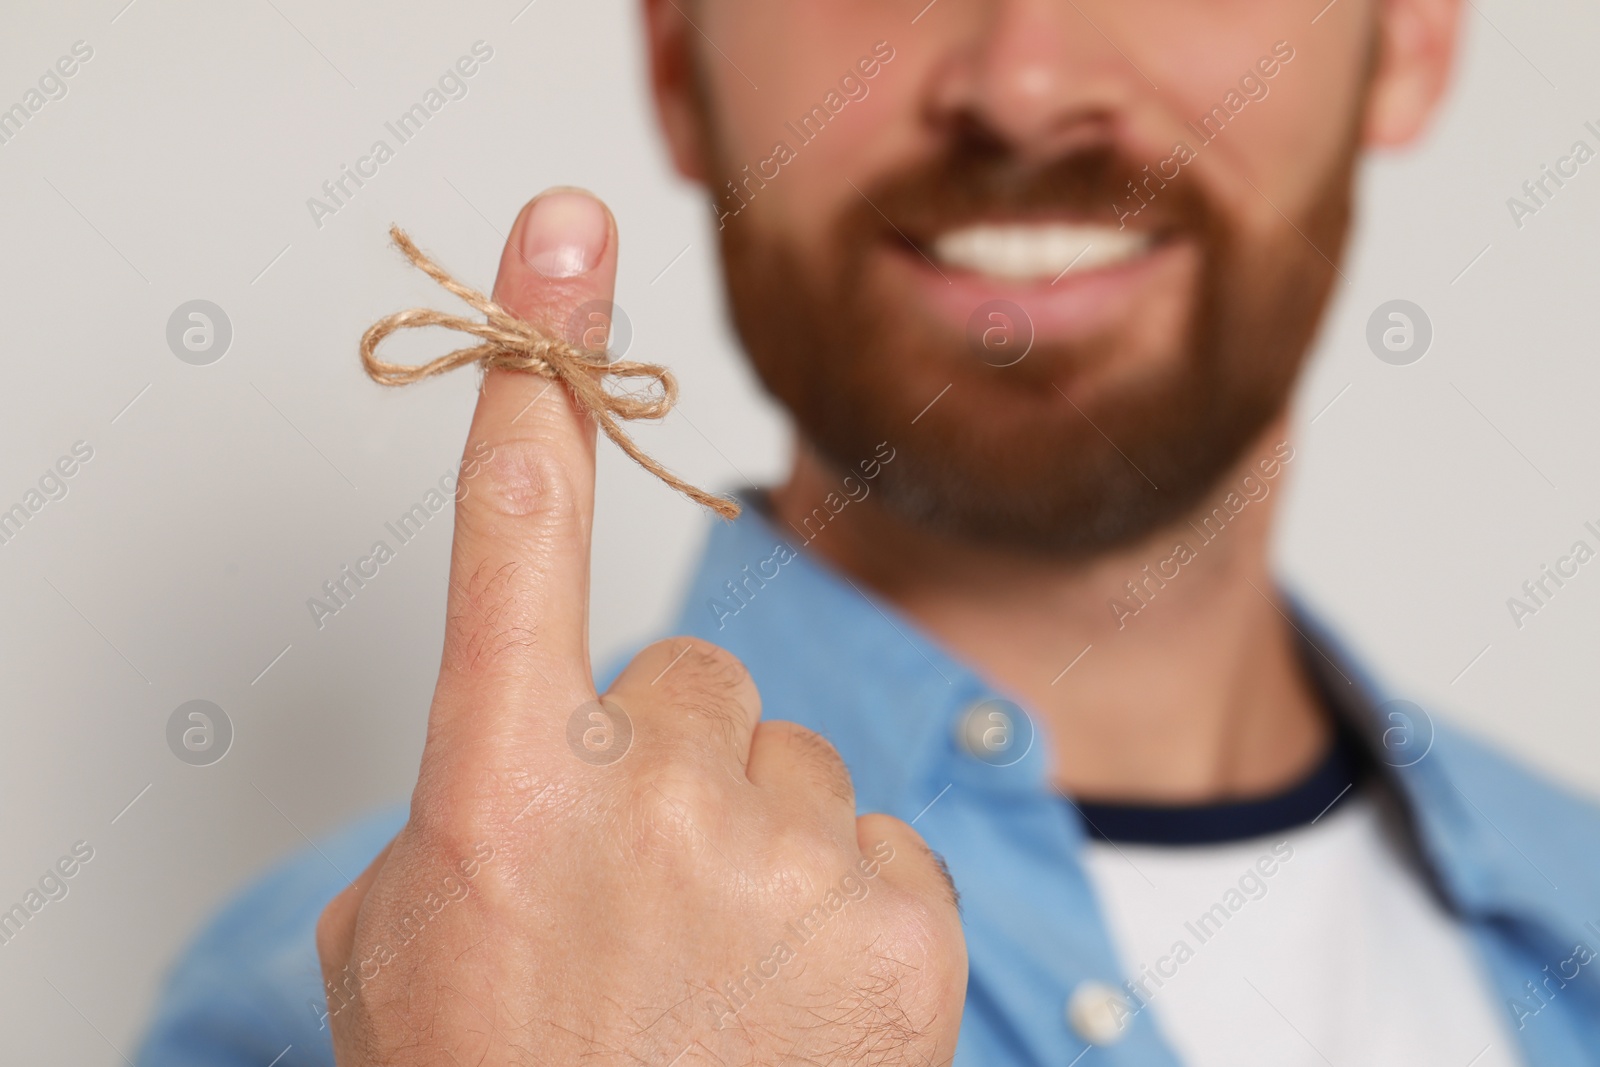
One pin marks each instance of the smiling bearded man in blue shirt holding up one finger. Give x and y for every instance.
(1034, 281)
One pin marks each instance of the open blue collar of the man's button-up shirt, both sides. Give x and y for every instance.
(828, 653)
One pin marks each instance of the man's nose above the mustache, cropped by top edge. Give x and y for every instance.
(1039, 76)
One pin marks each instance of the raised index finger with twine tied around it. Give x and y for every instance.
(518, 628)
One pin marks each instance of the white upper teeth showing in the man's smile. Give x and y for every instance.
(1038, 250)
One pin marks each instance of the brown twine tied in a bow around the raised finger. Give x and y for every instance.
(516, 345)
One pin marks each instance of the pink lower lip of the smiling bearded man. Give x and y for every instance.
(1076, 306)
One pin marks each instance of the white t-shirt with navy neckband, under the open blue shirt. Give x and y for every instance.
(1318, 946)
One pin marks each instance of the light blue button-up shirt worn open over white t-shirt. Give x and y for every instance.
(1511, 855)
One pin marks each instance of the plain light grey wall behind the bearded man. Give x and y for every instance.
(180, 564)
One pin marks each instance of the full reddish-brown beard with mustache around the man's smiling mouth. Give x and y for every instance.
(1006, 457)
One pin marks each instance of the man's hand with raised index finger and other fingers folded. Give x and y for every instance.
(655, 879)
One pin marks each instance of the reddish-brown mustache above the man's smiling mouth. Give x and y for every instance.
(978, 178)
